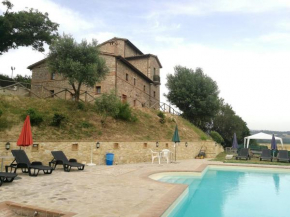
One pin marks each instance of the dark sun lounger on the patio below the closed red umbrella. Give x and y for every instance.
(23, 162)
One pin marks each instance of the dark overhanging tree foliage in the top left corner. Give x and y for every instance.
(25, 28)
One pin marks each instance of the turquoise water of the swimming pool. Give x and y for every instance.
(234, 193)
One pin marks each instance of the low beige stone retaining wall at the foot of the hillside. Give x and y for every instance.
(125, 152)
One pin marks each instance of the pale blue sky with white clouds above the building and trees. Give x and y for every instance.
(244, 45)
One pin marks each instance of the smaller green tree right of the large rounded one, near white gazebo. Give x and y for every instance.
(226, 123)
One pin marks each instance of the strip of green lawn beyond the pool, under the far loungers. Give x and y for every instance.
(254, 160)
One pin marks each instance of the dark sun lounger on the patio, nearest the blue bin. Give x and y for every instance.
(60, 158)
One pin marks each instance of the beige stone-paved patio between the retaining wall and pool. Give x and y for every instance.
(102, 191)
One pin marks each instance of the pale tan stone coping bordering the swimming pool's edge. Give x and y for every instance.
(160, 206)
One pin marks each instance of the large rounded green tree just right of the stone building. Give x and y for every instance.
(194, 93)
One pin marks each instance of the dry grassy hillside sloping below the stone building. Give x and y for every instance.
(83, 123)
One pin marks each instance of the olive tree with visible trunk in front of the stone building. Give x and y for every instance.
(79, 63)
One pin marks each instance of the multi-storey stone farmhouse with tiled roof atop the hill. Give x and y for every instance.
(134, 76)
